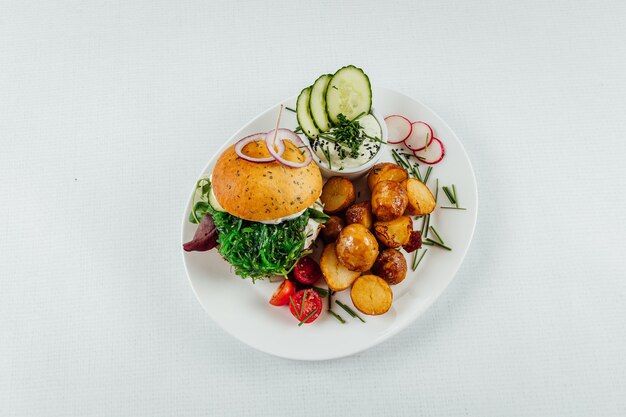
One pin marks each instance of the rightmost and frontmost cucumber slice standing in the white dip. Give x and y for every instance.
(348, 92)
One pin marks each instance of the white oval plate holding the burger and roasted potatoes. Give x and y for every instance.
(242, 309)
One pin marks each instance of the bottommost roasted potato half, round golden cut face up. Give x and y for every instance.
(371, 295)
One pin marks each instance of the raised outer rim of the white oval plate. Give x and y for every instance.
(383, 336)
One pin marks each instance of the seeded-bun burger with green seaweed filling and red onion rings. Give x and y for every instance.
(260, 207)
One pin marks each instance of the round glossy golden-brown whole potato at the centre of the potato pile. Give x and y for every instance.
(357, 247)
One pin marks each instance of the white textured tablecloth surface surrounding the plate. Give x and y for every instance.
(109, 110)
